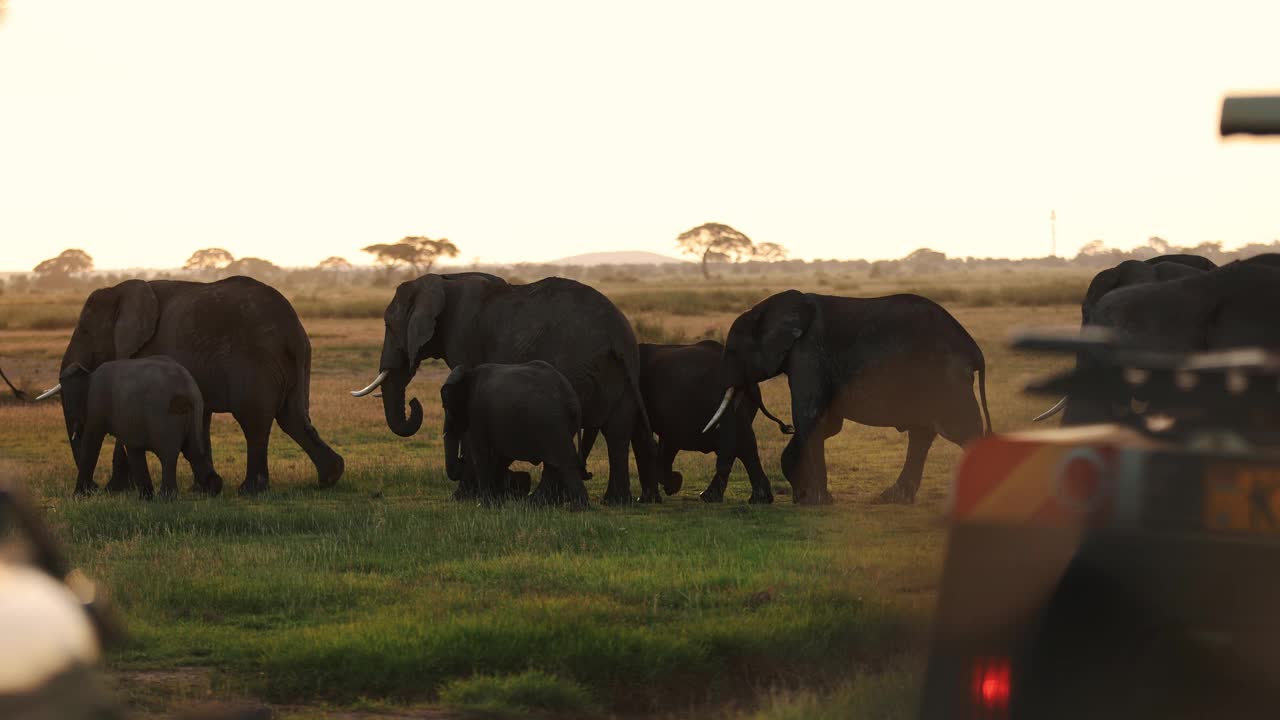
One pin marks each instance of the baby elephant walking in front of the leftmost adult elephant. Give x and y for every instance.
(149, 404)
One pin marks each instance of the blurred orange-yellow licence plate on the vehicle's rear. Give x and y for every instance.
(1242, 499)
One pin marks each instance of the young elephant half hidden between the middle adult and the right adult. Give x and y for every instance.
(680, 386)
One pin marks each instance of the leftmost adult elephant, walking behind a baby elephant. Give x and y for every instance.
(239, 339)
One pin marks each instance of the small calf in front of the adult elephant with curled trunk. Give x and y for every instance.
(497, 414)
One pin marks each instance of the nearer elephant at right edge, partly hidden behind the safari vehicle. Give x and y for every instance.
(1232, 307)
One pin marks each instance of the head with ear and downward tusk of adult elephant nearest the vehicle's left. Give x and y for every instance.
(760, 343)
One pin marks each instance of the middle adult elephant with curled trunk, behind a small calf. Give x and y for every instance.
(476, 318)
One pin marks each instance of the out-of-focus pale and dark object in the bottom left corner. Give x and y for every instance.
(53, 626)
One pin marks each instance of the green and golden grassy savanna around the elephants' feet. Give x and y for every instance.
(385, 596)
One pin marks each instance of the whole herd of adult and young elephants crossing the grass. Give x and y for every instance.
(541, 371)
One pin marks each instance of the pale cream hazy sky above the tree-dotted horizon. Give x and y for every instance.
(143, 131)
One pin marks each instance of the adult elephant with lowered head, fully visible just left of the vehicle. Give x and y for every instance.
(899, 362)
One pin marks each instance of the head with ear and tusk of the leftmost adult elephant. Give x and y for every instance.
(115, 325)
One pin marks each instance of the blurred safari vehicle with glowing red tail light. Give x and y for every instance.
(1128, 569)
